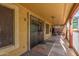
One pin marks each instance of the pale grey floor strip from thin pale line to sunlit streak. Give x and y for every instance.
(57, 48)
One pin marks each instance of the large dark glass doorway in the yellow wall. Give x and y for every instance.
(36, 31)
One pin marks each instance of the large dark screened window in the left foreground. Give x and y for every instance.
(6, 26)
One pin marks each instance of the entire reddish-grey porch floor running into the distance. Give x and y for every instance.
(54, 46)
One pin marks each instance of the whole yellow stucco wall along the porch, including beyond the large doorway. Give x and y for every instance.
(23, 27)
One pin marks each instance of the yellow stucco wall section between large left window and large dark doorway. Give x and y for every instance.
(22, 33)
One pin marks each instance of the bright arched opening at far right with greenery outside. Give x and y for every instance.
(75, 31)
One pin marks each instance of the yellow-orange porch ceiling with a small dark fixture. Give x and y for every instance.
(56, 13)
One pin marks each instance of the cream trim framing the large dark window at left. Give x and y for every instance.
(9, 48)
